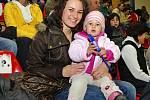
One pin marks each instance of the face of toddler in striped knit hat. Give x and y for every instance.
(93, 27)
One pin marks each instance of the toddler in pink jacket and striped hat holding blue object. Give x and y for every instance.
(82, 51)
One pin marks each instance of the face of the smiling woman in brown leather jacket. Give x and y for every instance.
(72, 13)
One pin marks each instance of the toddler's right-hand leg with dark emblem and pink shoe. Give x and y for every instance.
(109, 88)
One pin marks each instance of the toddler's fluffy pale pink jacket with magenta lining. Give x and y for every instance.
(78, 49)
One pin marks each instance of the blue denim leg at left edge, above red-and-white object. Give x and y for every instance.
(7, 44)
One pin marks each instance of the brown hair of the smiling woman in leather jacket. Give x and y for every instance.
(58, 11)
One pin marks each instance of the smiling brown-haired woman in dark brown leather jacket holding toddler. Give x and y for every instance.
(49, 66)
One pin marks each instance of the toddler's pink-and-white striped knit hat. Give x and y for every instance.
(95, 15)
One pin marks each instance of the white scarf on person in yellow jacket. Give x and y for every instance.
(25, 11)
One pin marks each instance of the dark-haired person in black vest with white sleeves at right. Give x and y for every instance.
(132, 65)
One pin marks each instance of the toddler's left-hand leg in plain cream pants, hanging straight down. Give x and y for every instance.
(78, 87)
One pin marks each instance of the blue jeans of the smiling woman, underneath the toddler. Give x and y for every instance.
(94, 93)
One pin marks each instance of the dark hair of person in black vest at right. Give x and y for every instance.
(137, 29)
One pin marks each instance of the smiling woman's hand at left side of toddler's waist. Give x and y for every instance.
(73, 69)
